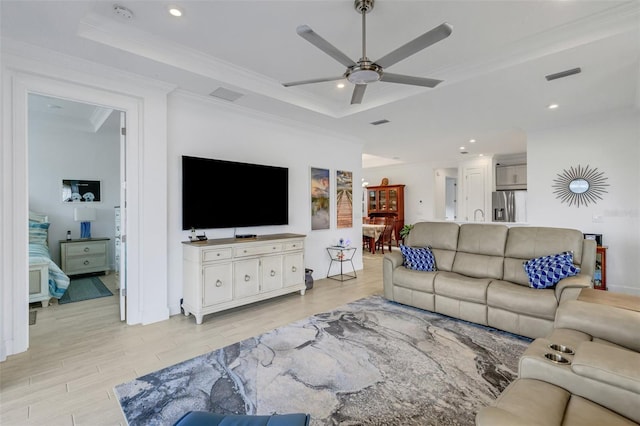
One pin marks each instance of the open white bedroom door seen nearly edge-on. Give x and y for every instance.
(122, 276)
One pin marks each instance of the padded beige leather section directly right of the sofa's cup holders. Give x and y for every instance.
(608, 364)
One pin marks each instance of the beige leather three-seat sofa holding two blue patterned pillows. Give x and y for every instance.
(480, 275)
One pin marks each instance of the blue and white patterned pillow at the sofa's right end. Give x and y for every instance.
(547, 271)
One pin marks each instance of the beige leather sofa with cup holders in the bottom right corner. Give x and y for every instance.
(598, 382)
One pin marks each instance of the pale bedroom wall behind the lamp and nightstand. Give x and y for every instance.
(59, 151)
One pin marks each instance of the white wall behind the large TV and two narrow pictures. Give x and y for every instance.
(216, 129)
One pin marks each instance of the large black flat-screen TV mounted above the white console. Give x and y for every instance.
(228, 194)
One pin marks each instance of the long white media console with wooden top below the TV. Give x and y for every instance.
(225, 273)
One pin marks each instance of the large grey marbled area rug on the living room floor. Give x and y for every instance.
(371, 362)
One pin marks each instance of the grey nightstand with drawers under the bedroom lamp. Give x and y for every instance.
(84, 256)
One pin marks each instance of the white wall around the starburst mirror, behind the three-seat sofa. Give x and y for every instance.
(610, 144)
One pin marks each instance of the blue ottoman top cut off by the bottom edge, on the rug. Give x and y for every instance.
(203, 418)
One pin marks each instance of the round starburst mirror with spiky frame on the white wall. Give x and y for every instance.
(580, 186)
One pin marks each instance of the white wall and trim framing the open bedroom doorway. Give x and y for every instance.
(24, 71)
